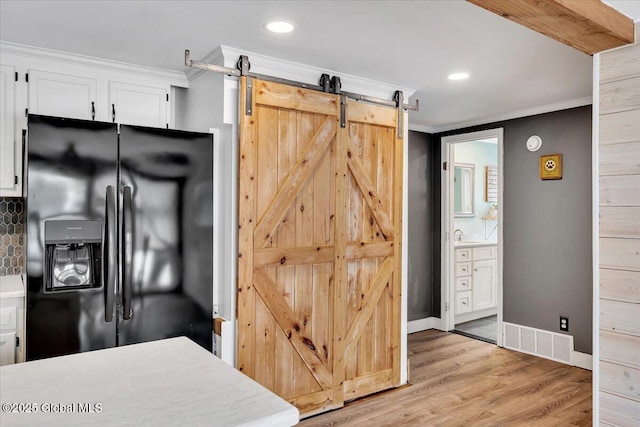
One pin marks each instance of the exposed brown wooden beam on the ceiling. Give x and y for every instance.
(587, 25)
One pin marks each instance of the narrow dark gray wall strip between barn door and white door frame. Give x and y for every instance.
(420, 241)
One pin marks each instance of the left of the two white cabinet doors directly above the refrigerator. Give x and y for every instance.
(62, 95)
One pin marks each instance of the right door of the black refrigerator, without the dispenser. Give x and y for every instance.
(170, 175)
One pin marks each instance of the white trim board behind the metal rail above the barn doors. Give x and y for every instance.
(262, 64)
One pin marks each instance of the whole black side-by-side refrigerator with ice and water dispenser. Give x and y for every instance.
(119, 235)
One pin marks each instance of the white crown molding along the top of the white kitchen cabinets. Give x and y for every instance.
(174, 78)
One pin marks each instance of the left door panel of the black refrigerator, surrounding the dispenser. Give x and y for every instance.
(70, 163)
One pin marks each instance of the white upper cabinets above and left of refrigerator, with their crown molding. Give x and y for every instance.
(65, 85)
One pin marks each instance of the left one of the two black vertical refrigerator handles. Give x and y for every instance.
(109, 251)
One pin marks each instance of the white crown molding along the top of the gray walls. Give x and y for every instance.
(534, 111)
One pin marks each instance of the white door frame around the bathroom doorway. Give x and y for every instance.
(447, 248)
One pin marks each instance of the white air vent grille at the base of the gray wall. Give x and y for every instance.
(538, 342)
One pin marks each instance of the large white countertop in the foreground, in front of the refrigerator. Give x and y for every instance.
(166, 382)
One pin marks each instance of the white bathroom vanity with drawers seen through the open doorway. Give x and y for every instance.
(476, 280)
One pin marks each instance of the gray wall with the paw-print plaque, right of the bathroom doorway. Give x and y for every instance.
(547, 224)
